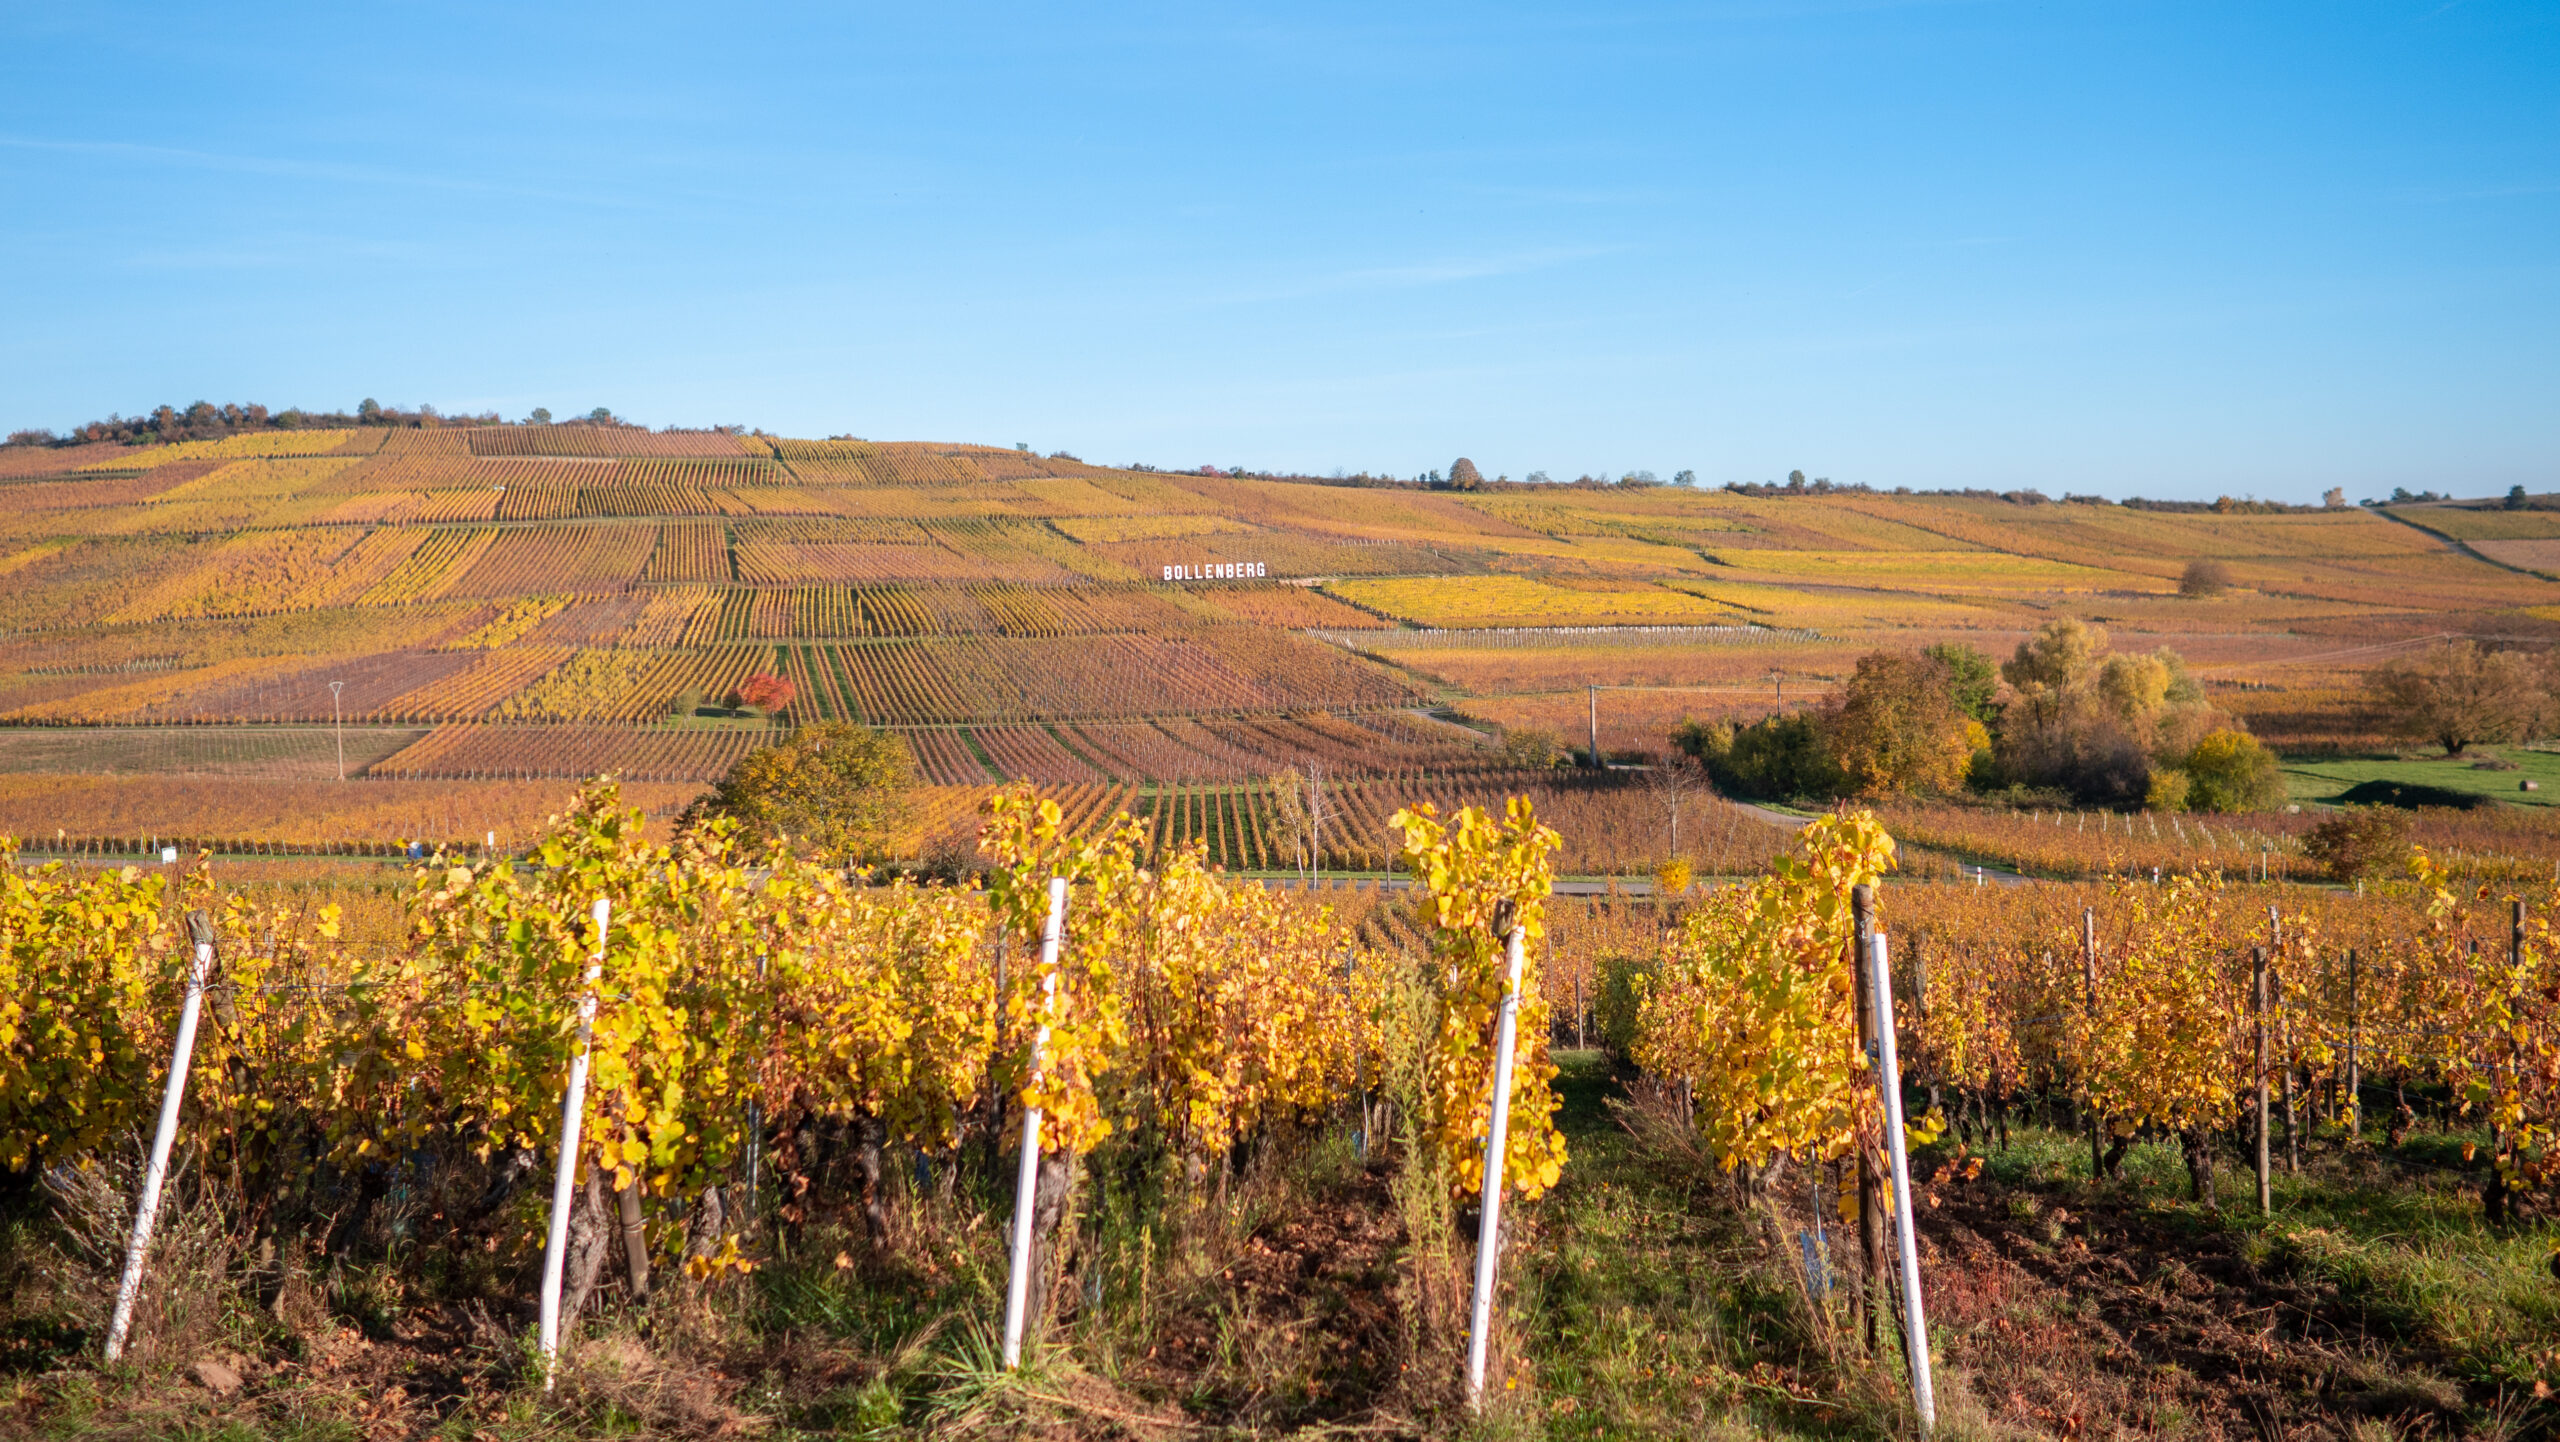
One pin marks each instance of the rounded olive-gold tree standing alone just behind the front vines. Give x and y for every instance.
(831, 788)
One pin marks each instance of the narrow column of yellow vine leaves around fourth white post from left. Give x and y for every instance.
(1486, 877)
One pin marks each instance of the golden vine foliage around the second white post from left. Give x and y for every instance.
(475, 1026)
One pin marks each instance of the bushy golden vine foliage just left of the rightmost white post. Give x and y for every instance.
(1755, 1003)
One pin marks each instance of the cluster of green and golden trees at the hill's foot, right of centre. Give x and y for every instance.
(2062, 716)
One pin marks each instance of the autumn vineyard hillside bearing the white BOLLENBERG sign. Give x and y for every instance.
(554, 601)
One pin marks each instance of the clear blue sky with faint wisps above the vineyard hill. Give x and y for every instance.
(2157, 250)
